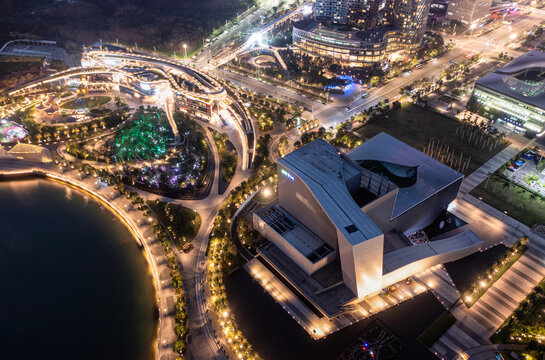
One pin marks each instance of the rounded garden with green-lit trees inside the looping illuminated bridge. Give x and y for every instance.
(175, 170)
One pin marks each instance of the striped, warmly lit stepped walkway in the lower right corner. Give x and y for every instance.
(475, 325)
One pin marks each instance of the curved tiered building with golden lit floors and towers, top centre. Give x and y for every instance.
(362, 32)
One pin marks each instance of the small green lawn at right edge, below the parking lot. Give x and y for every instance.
(514, 199)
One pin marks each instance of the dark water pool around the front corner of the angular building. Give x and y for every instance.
(276, 336)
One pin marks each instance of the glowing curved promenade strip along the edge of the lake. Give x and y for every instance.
(120, 215)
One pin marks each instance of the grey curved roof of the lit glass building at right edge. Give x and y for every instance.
(522, 79)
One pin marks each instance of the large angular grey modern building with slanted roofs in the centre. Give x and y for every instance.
(352, 218)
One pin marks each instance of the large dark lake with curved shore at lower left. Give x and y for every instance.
(73, 282)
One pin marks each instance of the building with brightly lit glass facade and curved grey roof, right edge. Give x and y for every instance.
(514, 94)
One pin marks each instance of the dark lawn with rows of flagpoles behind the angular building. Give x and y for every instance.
(462, 146)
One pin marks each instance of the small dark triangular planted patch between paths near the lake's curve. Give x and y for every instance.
(182, 223)
